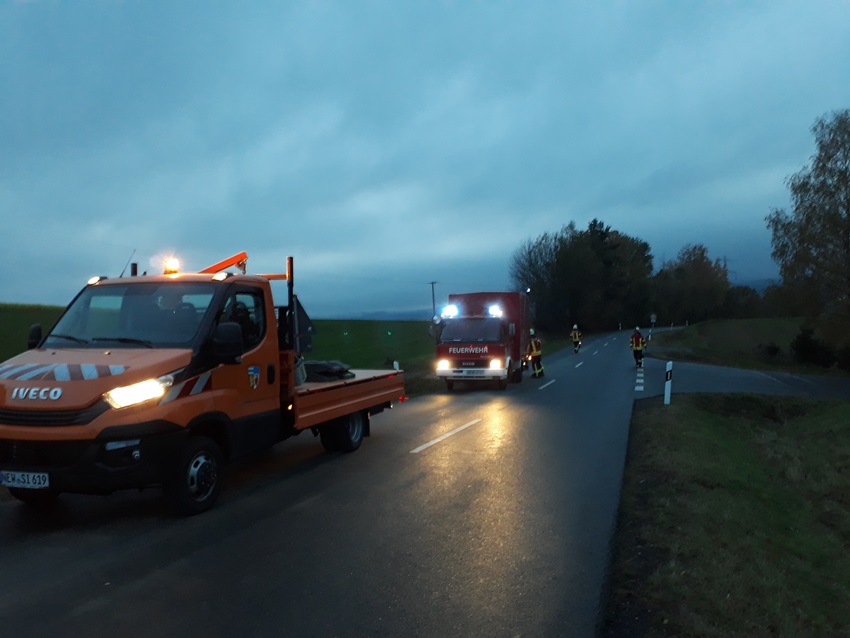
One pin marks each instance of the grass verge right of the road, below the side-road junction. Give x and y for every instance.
(734, 519)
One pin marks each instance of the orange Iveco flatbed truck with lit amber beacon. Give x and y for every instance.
(160, 380)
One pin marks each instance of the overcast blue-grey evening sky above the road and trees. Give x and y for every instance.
(388, 144)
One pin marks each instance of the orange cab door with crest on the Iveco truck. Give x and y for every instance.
(249, 392)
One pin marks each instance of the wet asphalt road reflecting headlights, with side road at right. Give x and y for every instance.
(476, 513)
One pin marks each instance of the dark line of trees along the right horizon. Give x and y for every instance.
(603, 279)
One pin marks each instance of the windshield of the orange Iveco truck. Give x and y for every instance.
(135, 315)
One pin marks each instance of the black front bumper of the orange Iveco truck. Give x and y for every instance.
(120, 458)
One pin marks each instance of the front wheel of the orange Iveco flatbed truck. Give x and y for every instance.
(196, 483)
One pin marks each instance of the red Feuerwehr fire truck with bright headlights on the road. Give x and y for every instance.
(483, 336)
